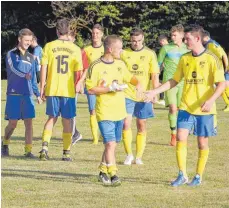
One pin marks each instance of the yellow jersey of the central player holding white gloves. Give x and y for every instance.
(109, 106)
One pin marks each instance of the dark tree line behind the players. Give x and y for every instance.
(119, 18)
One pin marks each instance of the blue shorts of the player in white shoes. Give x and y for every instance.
(140, 110)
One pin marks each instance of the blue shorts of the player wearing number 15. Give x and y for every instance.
(60, 105)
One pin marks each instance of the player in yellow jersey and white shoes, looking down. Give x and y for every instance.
(141, 62)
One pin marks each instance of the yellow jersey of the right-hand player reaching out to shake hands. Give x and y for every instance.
(200, 73)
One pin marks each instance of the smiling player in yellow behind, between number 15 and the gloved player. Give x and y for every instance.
(93, 52)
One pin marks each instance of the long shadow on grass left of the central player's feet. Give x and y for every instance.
(49, 175)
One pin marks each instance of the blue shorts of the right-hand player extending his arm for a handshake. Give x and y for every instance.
(202, 125)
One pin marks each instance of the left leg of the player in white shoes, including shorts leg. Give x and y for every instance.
(127, 132)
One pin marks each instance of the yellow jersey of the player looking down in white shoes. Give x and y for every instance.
(142, 64)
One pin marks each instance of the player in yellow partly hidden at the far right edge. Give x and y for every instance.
(214, 47)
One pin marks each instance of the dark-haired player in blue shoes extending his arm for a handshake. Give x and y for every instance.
(200, 70)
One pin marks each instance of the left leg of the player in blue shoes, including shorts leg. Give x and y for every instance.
(185, 124)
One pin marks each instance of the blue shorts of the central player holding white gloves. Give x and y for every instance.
(111, 130)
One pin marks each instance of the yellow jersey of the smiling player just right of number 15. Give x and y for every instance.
(93, 53)
